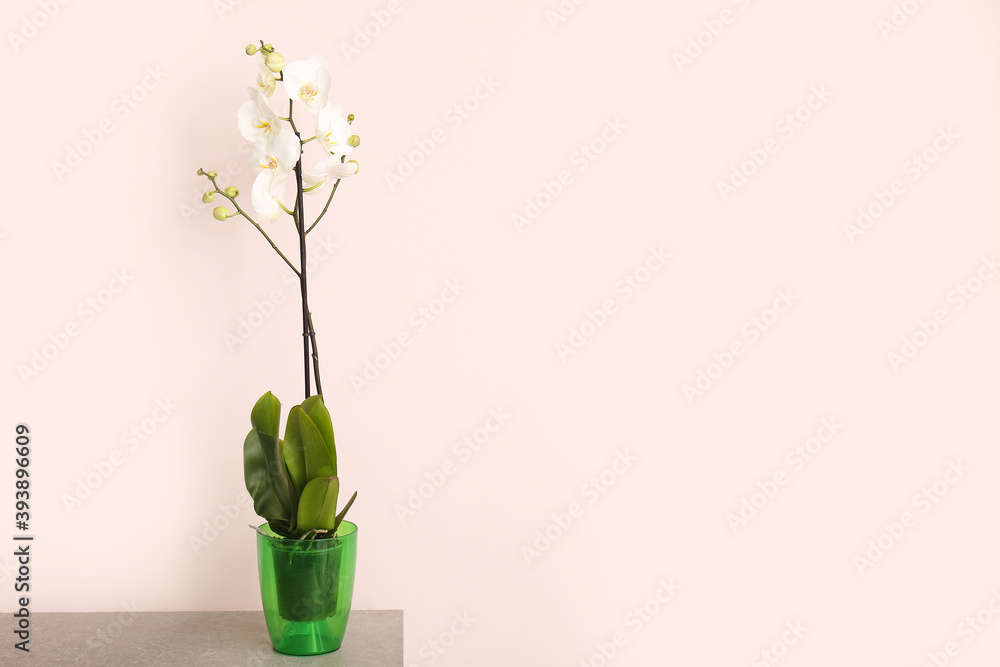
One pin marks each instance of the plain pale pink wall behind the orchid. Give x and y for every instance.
(717, 379)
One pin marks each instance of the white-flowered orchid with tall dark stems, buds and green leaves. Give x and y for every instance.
(293, 481)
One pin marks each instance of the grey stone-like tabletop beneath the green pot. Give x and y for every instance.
(218, 638)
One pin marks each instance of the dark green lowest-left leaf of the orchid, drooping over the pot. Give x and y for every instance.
(268, 482)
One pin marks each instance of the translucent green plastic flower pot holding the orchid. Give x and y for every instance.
(306, 587)
